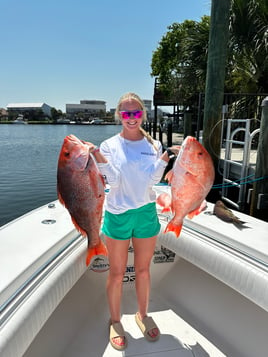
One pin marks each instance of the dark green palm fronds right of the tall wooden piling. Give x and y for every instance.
(248, 61)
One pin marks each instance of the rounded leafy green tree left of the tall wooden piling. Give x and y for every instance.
(180, 60)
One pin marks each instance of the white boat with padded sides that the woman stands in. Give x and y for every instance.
(209, 289)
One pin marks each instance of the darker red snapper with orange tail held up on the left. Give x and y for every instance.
(81, 190)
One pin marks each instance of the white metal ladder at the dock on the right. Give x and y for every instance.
(242, 162)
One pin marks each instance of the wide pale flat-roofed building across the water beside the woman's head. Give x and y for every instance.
(87, 109)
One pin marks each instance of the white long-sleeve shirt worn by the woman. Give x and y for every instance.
(133, 168)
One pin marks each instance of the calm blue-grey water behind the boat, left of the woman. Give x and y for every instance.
(28, 163)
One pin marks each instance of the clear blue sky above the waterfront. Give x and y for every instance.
(59, 52)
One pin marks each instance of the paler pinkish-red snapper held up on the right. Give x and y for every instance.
(191, 179)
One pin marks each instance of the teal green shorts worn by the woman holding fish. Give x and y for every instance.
(135, 223)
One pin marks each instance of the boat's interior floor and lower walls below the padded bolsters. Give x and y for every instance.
(198, 316)
